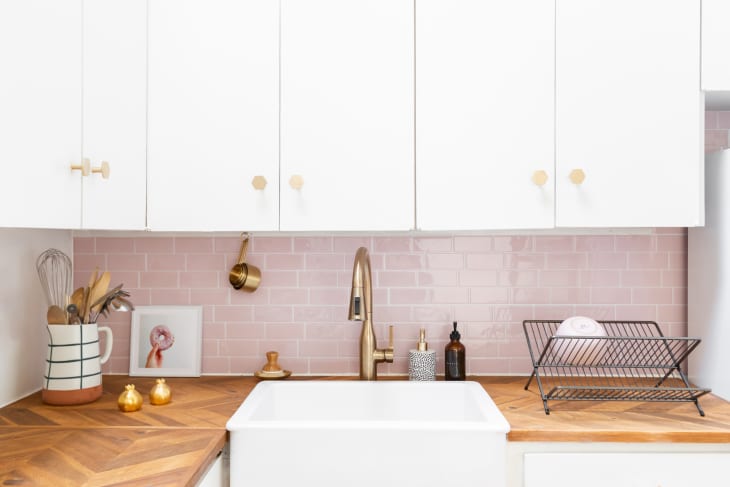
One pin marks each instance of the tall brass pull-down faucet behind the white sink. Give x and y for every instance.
(361, 307)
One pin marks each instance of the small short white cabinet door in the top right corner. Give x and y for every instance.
(715, 42)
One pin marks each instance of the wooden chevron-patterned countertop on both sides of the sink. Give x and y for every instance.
(96, 444)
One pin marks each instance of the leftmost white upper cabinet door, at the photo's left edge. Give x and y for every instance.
(40, 113)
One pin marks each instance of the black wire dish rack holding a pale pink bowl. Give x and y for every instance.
(633, 362)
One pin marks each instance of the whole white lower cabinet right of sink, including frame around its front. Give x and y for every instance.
(617, 464)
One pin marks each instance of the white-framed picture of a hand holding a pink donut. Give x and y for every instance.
(166, 341)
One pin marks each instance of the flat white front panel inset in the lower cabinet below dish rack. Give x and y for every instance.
(624, 469)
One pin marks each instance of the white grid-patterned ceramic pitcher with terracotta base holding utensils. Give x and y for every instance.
(73, 364)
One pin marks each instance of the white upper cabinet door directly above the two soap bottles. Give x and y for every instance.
(484, 114)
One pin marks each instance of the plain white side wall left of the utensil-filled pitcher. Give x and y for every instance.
(23, 308)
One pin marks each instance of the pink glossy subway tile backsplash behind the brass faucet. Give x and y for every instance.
(490, 284)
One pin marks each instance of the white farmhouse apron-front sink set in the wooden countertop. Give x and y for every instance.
(352, 433)
